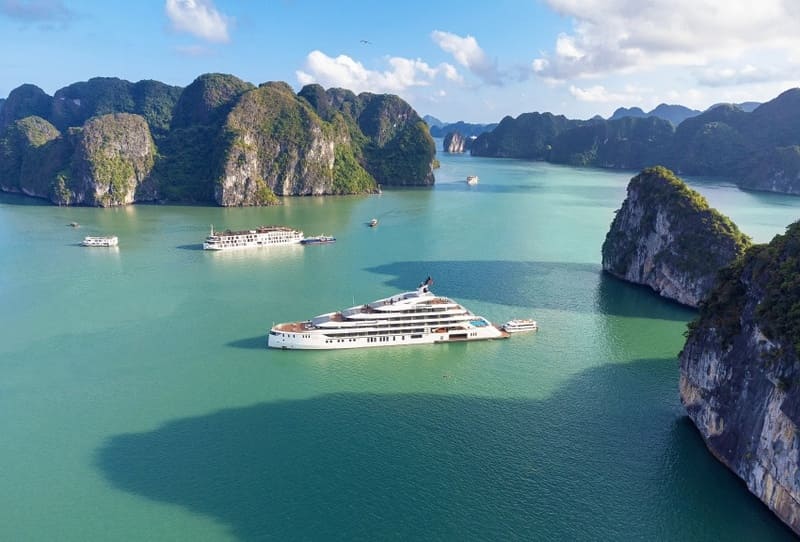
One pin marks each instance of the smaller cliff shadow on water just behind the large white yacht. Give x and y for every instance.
(577, 287)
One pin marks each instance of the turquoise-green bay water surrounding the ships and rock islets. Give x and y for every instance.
(137, 400)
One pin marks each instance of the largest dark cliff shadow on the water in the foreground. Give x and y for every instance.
(607, 457)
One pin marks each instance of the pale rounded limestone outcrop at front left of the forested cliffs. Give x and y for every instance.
(114, 155)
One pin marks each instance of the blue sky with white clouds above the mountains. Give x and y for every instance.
(476, 62)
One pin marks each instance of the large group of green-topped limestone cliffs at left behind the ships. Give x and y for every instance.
(107, 141)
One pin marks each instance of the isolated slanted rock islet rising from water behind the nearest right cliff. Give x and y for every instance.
(665, 236)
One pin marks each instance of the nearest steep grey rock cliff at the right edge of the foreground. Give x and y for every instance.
(740, 375)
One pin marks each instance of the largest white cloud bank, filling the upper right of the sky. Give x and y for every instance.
(626, 35)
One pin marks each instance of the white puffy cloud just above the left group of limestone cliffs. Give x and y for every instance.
(343, 71)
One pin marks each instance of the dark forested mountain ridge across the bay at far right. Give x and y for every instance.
(758, 150)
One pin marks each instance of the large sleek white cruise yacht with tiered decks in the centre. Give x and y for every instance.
(417, 317)
